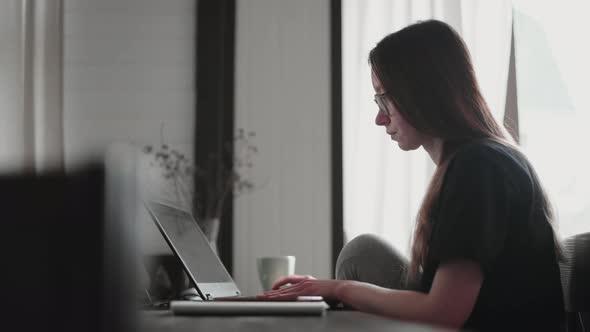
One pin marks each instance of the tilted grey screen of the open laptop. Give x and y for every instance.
(190, 244)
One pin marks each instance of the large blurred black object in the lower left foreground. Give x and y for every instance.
(67, 248)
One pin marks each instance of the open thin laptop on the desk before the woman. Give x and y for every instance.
(217, 291)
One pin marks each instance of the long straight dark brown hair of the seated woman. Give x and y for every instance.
(427, 73)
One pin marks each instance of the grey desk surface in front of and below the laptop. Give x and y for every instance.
(337, 321)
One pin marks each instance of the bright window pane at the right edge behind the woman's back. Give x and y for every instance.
(552, 71)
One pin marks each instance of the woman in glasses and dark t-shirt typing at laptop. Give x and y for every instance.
(484, 254)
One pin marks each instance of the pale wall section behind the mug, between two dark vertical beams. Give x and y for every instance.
(283, 93)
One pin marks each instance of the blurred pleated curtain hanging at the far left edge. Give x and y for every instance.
(31, 131)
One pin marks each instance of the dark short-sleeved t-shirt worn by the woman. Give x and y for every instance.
(488, 212)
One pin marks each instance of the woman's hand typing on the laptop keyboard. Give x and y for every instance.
(303, 286)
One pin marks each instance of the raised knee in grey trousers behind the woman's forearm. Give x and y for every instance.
(368, 258)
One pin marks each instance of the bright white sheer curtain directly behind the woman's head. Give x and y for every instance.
(384, 186)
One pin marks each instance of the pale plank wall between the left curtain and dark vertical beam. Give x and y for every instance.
(128, 67)
